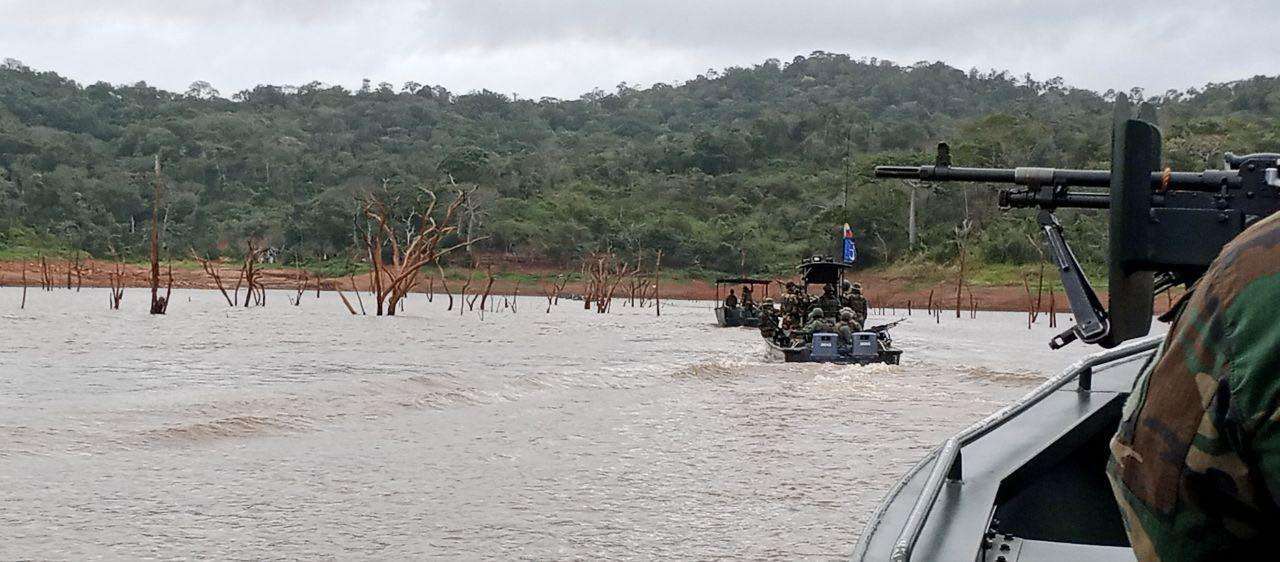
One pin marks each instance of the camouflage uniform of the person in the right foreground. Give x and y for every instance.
(1196, 464)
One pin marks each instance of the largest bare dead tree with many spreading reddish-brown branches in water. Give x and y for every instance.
(394, 280)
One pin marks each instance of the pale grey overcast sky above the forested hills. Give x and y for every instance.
(566, 48)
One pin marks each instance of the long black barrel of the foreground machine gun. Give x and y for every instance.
(1037, 177)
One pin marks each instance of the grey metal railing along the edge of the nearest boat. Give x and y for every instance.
(948, 467)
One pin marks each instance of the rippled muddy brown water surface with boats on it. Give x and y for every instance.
(308, 433)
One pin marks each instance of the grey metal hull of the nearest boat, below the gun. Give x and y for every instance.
(1026, 485)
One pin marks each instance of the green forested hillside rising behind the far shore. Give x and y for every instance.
(746, 165)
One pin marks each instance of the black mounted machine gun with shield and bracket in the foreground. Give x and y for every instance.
(1165, 227)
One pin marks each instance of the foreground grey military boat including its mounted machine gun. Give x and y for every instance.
(1030, 482)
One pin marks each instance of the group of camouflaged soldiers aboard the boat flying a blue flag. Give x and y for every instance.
(801, 316)
